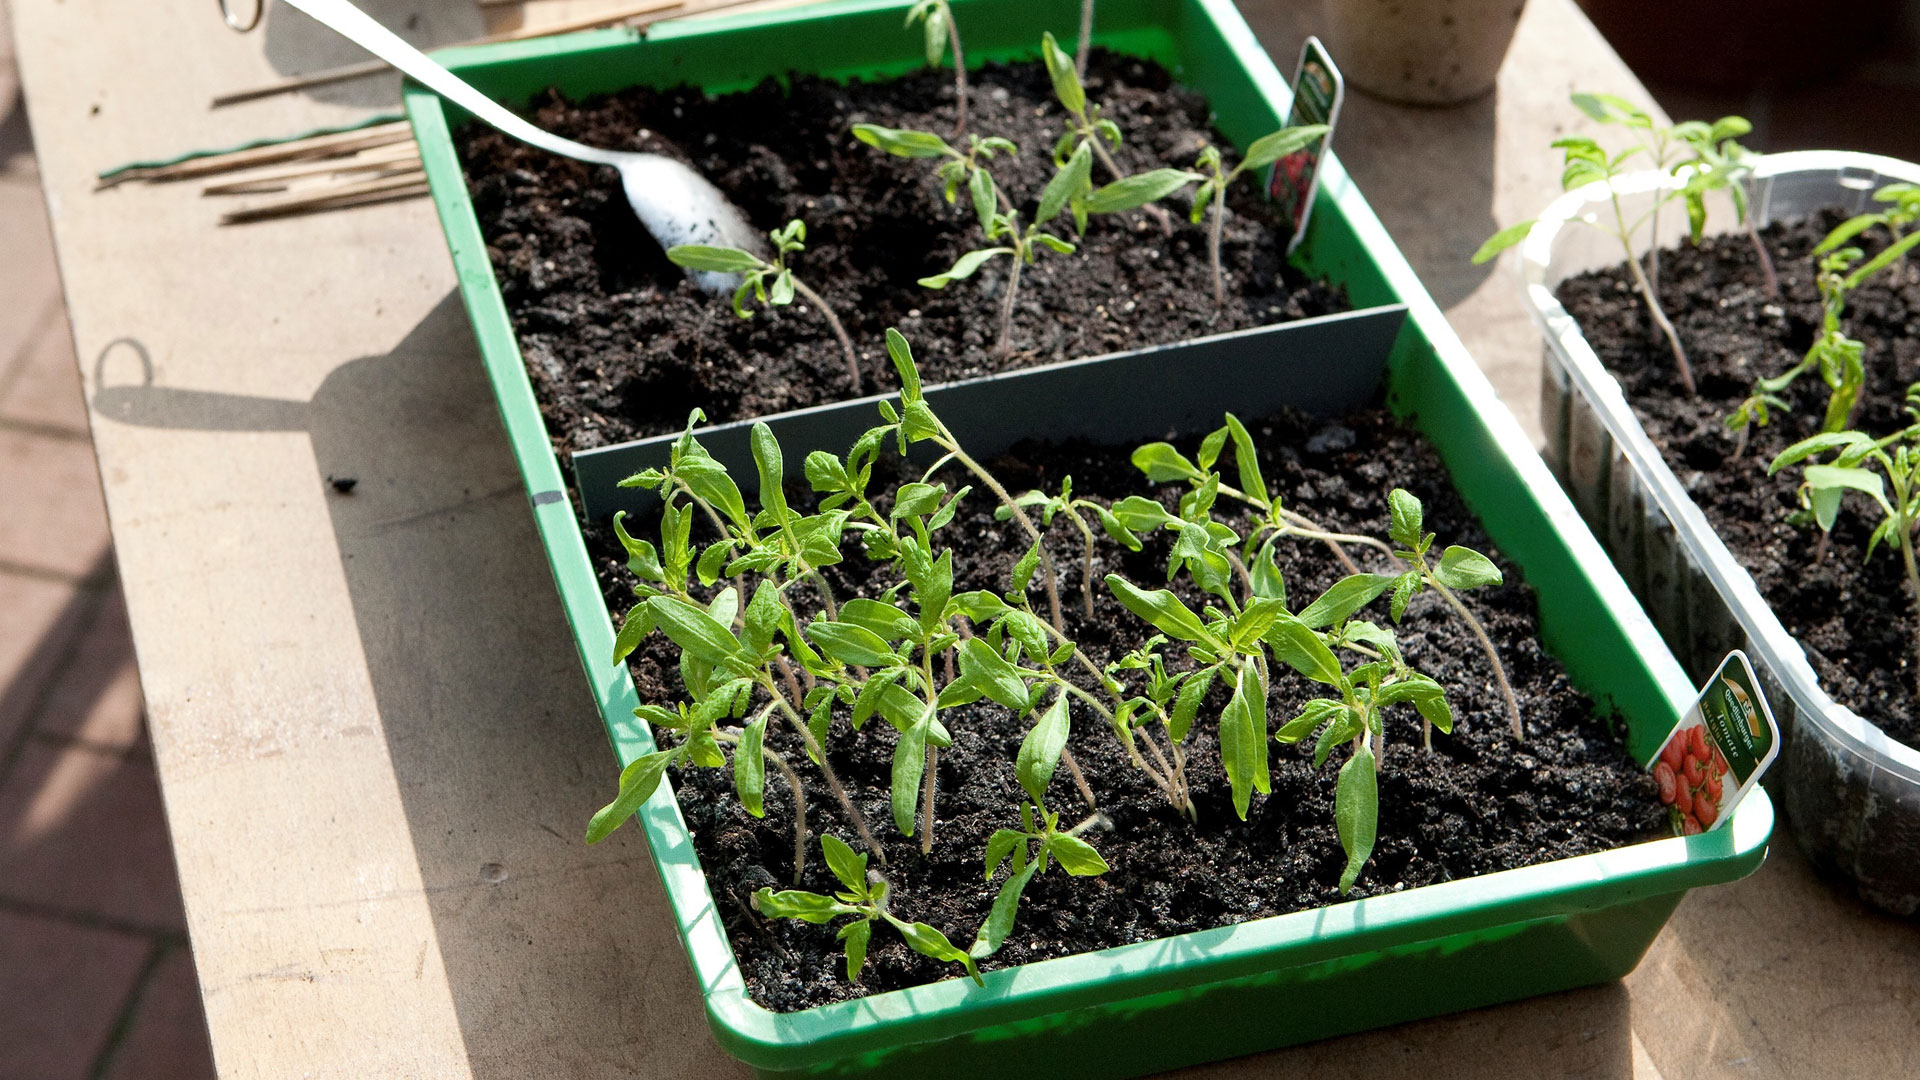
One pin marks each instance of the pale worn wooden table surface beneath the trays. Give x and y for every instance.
(372, 731)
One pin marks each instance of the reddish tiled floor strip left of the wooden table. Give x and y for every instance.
(95, 971)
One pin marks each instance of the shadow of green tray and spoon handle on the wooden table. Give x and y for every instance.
(562, 958)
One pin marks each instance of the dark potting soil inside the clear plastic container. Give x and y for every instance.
(1852, 616)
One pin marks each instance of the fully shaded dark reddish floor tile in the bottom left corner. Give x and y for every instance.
(64, 989)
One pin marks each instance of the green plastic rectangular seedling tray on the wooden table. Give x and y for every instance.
(1220, 993)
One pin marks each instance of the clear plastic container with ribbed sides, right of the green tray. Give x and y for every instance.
(1852, 795)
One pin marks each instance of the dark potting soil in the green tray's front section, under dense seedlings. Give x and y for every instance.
(1476, 804)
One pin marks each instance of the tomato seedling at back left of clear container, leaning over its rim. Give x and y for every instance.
(1589, 162)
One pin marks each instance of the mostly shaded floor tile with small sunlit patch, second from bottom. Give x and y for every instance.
(84, 831)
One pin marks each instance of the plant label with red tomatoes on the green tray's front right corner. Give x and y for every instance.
(1717, 752)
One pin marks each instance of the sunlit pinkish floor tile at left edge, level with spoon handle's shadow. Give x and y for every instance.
(55, 516)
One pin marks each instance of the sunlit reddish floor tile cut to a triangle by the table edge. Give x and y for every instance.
(97, 700)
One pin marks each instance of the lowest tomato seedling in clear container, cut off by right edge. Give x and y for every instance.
(1869, 466)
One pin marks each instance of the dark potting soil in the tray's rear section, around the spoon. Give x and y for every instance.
(621, 347)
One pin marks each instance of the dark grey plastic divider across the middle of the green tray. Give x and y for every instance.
(1322, 366)
